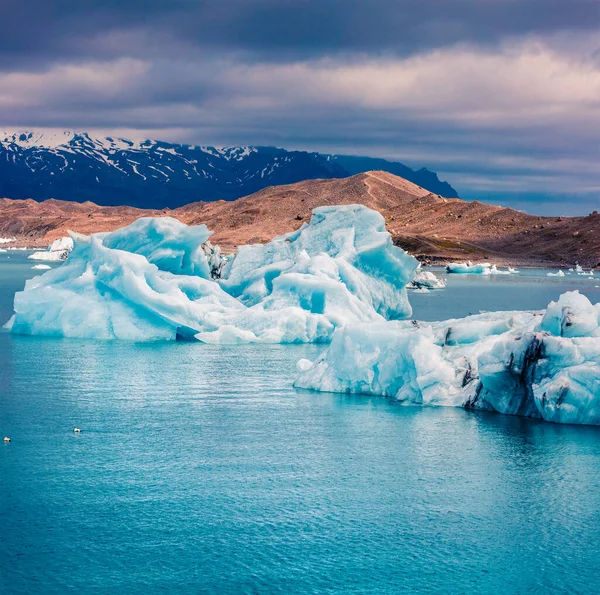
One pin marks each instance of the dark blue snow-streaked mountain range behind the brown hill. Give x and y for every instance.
(154, 174)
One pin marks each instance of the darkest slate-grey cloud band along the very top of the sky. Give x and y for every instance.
(38, 30)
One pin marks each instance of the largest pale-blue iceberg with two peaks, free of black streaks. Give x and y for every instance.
(152, 280)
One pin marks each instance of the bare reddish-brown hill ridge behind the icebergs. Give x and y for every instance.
(427, 225)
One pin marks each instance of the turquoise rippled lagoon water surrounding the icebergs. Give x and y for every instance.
(200, 470)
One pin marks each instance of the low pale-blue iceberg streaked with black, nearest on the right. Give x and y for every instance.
(537, 364)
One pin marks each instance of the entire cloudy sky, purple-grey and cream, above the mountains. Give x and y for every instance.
(500, 97)
